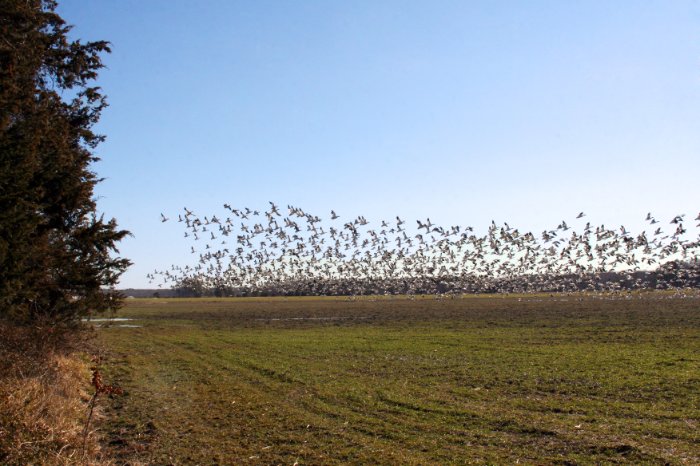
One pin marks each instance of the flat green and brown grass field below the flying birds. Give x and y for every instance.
(564, 379)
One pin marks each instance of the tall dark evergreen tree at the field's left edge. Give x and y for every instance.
(56, 254)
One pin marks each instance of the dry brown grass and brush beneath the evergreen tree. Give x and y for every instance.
(44, 393)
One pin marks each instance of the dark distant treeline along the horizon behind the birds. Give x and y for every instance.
(670, 276)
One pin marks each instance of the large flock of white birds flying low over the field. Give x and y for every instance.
(293, 252)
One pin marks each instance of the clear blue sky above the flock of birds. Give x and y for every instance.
(464, 111)
